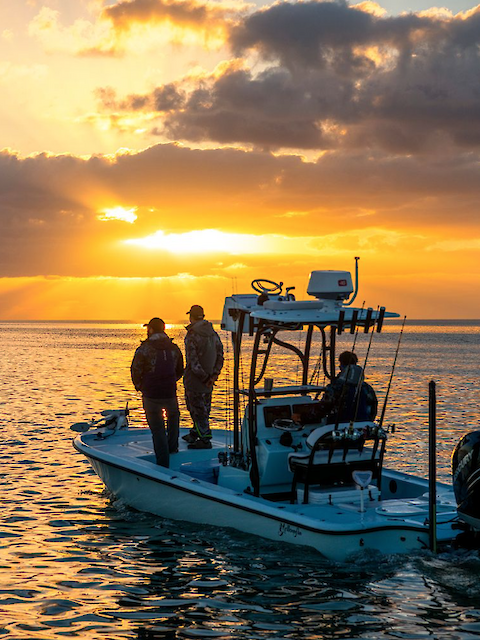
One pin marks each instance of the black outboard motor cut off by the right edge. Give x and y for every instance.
(466, 478)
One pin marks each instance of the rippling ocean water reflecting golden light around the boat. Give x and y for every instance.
(76, 564)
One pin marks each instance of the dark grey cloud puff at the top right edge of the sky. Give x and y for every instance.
(335, 35)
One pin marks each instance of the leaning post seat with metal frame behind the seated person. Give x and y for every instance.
(335, 454)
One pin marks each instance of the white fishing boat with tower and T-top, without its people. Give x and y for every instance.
(281, 469)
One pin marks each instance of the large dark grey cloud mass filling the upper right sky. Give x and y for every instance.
(326, 75)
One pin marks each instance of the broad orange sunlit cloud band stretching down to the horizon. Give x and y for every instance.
(240, 205)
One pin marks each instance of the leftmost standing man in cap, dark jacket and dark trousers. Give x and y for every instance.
(156, 367)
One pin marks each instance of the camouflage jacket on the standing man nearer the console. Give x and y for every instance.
(204, 355)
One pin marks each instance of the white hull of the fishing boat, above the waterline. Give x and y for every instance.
(335, 530)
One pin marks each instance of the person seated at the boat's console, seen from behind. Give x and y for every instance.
(341, 395)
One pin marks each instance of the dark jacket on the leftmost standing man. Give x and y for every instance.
(156, 367)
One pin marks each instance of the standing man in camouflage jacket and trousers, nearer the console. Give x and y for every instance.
(204, 355)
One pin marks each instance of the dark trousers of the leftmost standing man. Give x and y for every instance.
(165, 440)
